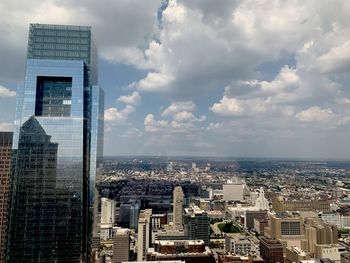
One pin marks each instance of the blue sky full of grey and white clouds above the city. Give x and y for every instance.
(238, 78)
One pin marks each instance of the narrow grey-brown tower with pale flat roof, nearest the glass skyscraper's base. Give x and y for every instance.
(121, 245)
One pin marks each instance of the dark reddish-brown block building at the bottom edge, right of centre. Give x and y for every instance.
(271, 250)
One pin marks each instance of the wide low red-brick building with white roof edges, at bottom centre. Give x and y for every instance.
(191, 251)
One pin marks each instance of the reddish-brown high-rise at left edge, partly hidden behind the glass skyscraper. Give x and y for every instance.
(5, 168)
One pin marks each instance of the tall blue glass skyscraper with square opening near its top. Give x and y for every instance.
(57, 145)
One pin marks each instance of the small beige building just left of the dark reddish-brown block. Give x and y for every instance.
(238, 244)
